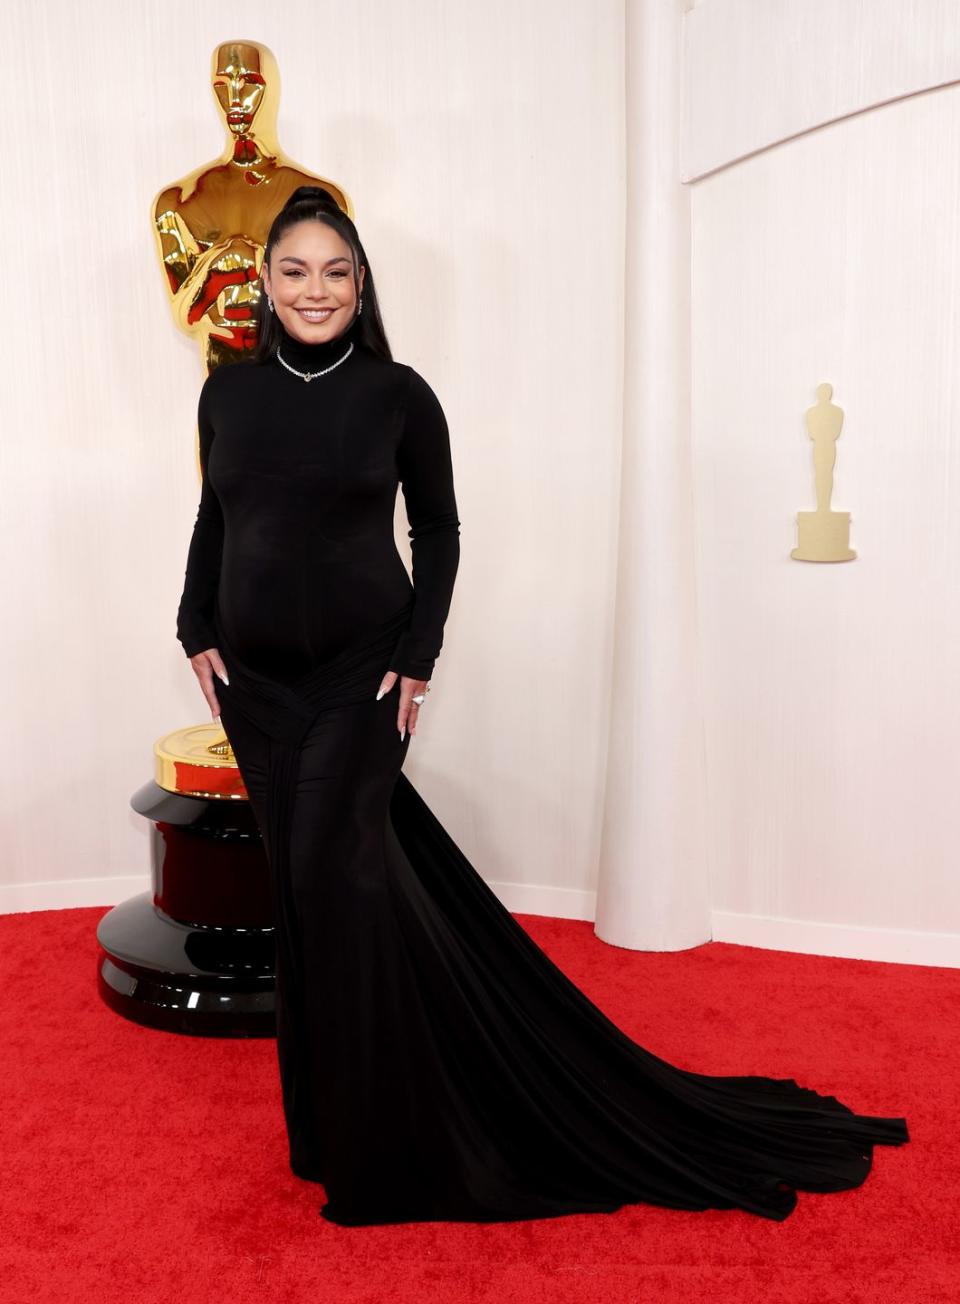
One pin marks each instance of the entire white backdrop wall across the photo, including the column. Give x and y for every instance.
(807, 714)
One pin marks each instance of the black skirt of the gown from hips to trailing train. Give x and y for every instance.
(435, 1063)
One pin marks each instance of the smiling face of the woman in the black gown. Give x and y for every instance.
(311, 282)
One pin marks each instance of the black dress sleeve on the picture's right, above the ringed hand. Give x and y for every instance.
(427, 481)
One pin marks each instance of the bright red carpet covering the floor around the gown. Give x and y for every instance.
(151, 1168)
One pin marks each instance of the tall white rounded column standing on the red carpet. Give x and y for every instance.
(653, 893)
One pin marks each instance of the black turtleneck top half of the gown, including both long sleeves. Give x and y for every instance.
(294, 548)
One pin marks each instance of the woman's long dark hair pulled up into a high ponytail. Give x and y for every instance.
(315, 204)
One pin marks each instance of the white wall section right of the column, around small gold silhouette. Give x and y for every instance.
(832, 709)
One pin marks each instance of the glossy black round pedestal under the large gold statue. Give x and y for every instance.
(195, 955)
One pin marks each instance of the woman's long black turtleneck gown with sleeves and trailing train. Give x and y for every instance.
(435, 1063)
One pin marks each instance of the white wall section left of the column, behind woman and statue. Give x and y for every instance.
(483, 148)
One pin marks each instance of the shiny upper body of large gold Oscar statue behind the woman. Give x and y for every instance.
(212, 225)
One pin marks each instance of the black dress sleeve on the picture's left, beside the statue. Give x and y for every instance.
(195, 623)
